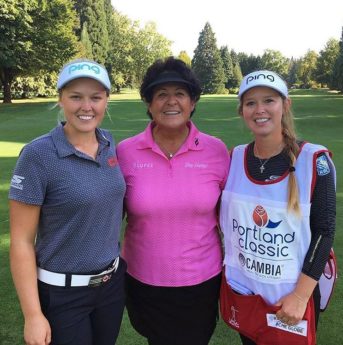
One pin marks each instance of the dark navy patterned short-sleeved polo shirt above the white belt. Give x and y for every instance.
(81, 201)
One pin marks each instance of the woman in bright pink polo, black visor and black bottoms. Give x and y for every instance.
(174, 175)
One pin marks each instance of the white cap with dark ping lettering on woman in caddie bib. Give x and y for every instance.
(263, 78)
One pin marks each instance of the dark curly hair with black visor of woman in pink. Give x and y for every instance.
(169, 70)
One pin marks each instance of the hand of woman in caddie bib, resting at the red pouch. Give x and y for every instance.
(292, 309)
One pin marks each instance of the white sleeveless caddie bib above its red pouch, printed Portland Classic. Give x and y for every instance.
(265, 245)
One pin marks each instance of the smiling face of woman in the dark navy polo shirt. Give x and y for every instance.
(84, 102)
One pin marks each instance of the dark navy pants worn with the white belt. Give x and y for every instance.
(85, 315)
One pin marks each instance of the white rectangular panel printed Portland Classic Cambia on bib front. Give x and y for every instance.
(265, 241)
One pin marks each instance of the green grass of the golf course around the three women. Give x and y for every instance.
(319, 119)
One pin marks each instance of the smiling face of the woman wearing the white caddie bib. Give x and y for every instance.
(262, 110)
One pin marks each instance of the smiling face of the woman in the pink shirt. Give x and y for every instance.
(171, 106)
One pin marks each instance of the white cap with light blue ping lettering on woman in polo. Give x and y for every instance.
(82, 68)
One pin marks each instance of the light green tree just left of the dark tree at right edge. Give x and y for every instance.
(326, 62)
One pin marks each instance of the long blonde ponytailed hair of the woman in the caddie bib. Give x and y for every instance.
(292, 150)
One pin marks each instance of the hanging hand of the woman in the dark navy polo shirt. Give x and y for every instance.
(37, 330)
